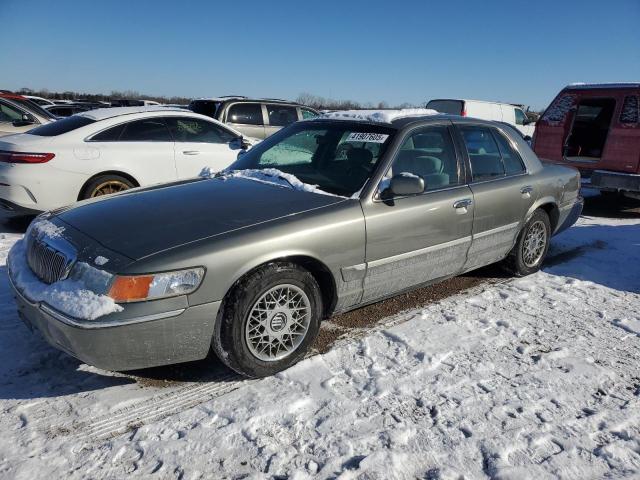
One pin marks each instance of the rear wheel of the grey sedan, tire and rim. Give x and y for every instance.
(532, 246)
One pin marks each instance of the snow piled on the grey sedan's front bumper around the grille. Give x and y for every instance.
(72, 296)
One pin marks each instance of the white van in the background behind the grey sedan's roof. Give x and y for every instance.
(500, 112)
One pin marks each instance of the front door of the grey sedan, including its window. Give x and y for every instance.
(412, 240)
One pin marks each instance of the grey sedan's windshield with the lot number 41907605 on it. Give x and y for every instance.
(336, 156)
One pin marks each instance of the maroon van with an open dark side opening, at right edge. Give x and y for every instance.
(595, 128)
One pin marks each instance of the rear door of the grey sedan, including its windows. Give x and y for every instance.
(502, 192)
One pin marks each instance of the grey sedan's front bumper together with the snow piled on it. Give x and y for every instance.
(139, 335)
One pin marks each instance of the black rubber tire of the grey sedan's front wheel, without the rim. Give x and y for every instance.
(230, 341)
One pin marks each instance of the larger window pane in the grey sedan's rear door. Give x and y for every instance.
(484, 155)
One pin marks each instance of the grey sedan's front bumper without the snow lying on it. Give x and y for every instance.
(125, 343)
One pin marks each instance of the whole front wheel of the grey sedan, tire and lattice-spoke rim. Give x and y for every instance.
(269, 320)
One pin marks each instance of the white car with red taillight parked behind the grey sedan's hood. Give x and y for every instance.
(110, 150)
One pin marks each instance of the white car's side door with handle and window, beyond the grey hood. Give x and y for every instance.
(200, 144)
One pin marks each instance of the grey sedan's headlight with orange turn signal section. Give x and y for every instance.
(136, 288)
